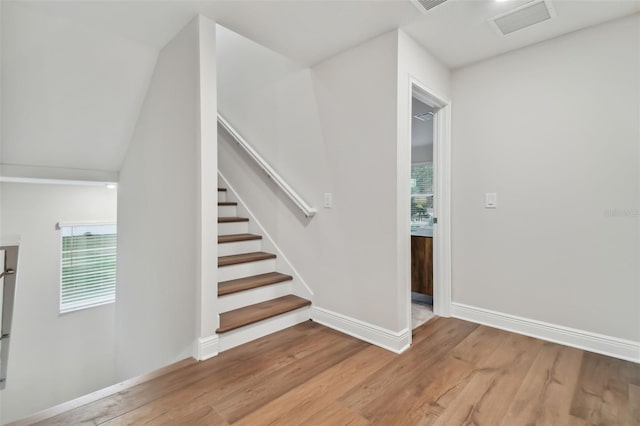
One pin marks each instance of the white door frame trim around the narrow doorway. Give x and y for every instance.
(442, 197)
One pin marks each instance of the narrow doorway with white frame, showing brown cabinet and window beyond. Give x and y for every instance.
(429, 204)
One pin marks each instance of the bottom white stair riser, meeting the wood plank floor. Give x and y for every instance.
(251, 332)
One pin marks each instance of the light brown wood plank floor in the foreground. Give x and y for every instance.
(456, 373)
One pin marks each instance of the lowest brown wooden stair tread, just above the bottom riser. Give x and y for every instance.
(260, 311)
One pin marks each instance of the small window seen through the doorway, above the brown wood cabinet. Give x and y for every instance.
(421, 196)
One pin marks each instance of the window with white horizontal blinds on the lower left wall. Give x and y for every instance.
(88, 266)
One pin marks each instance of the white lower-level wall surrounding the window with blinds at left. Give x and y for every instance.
(53, 357)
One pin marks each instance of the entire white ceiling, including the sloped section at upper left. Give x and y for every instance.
(75, 74)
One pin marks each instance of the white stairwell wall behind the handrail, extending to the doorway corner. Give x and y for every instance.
(328, 129)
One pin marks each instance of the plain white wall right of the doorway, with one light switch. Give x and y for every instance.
(554, 130)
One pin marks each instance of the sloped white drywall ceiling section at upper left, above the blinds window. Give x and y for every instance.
(71, 92)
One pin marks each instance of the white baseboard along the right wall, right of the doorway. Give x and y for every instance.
(593, 342)
